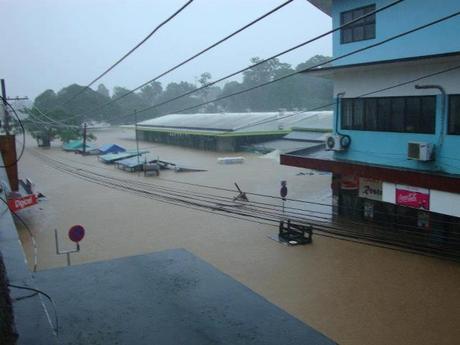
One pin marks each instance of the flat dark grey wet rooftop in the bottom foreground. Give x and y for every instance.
(164, 298)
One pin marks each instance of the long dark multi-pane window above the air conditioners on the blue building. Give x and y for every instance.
(393, 114)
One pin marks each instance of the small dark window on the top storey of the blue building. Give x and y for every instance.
(363, 29)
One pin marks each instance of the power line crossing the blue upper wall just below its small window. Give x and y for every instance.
(312, 67)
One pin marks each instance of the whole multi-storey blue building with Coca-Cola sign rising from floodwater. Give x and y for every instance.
(394, 154)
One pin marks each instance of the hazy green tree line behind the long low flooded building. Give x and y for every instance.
(300, 92)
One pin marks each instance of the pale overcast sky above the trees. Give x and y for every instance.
(49, 44)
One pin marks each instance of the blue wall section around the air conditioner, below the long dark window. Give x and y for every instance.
(390, 149)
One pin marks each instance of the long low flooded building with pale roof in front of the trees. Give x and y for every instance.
(225, 131)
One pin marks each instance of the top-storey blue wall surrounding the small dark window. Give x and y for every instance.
(438, 39)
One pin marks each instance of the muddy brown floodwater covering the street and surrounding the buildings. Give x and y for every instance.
(355, 294)
